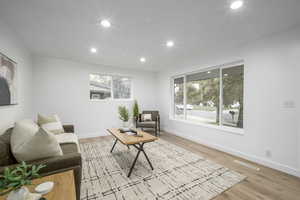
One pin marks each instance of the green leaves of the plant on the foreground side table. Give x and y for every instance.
(15, 178)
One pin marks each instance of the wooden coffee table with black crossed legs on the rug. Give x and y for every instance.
(137, 142)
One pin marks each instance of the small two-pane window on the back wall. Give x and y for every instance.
(104, 87)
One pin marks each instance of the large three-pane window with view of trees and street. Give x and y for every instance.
(212, 96)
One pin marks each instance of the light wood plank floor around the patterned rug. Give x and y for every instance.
(266, 184)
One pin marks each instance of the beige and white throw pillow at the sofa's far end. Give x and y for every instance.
(51, 123)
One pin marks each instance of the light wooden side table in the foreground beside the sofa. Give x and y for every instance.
(64, 186)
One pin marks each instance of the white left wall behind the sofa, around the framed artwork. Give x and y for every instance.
(11, 46)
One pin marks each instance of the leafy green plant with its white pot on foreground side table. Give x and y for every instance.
(14, 181)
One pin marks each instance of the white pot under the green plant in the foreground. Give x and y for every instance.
(23, 194)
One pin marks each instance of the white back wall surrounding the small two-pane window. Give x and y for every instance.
(62, 87)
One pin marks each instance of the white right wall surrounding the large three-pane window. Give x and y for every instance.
(271, 78)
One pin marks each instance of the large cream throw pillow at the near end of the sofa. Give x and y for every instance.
(33, 143)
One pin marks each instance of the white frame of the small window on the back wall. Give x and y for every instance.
(111, 88)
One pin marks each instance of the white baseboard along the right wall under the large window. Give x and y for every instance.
(253, 158)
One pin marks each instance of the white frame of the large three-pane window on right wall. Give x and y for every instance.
(220, 125)
